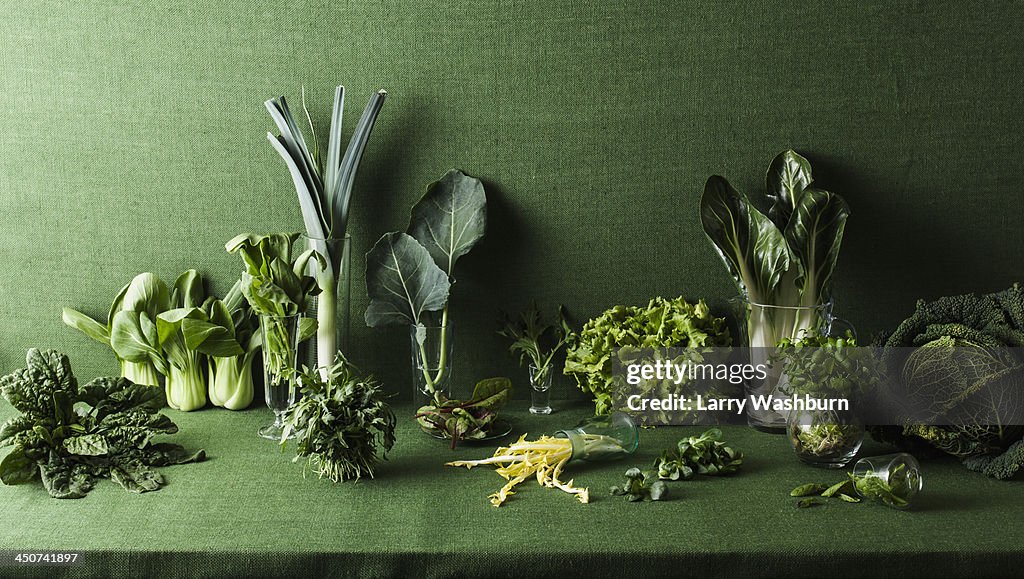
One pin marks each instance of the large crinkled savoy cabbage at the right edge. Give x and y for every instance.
(968, 374)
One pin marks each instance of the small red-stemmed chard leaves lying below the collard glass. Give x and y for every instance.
(472, 420)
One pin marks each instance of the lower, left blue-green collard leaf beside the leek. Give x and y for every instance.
(403, 282)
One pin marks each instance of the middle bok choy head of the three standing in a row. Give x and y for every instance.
(231, 340)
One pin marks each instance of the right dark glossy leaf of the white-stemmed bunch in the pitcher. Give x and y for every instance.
(815, 235)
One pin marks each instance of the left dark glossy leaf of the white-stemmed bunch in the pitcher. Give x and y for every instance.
(754, 251)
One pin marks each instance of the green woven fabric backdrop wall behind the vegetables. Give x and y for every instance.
(134, 140)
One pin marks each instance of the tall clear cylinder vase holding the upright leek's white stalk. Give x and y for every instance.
(331, 307)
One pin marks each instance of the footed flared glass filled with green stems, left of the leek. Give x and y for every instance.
(281, 343)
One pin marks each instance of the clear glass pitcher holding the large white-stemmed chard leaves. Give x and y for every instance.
(762, 328)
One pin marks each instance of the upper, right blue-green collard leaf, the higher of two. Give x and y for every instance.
(451, 219)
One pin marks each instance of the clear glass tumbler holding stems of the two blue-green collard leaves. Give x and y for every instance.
(433, 348)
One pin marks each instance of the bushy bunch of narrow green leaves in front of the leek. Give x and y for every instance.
(342, 423)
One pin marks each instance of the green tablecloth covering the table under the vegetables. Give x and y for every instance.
(248, 511)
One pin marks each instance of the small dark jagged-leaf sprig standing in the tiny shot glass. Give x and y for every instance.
(537, 342)
